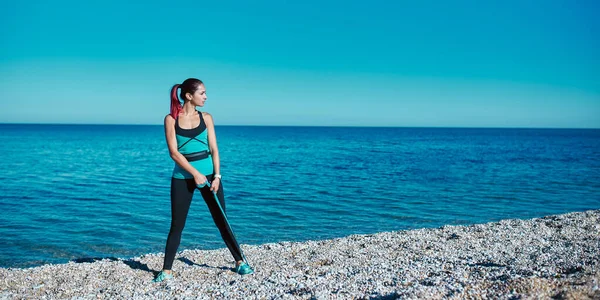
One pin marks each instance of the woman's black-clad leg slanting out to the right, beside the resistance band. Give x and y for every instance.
(219, 220)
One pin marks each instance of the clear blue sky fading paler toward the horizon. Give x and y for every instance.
(340, 63)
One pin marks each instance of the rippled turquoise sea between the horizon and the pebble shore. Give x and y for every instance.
(81, 191)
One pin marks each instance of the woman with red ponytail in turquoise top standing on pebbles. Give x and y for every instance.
(192, 144)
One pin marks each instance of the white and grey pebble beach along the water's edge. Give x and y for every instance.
(551, 257)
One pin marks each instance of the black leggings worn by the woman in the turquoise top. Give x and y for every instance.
(182, 191)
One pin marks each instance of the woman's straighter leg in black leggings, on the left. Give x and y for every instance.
(182, 191)
